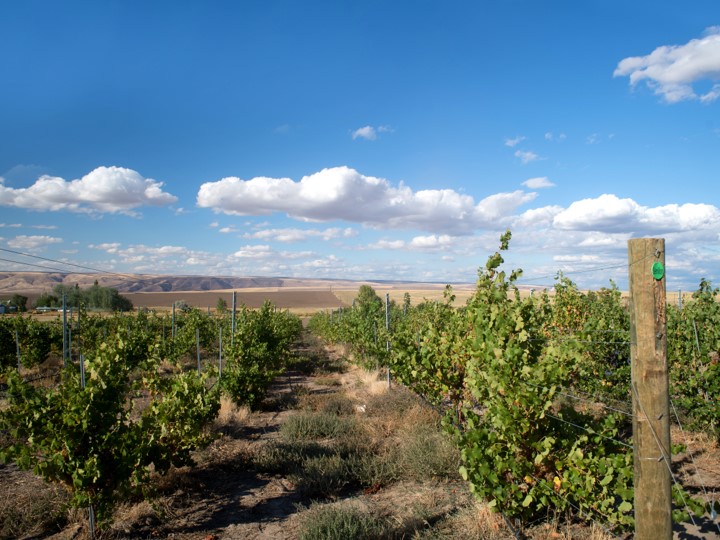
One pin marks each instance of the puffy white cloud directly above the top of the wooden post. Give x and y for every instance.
(609, 213)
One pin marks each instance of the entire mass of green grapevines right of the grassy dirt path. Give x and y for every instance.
(503, 368)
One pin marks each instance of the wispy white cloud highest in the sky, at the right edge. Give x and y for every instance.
(672, 70)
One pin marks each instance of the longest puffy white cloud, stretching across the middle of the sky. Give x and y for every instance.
(342, 193)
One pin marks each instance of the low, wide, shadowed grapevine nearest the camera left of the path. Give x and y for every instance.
(87, 438)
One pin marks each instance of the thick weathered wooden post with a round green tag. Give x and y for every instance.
(651, 414)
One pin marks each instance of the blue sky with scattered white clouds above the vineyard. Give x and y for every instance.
(360, 140)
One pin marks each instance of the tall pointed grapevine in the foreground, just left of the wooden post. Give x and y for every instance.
(518, 452)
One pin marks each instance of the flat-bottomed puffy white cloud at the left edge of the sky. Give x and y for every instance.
(105, 189)
